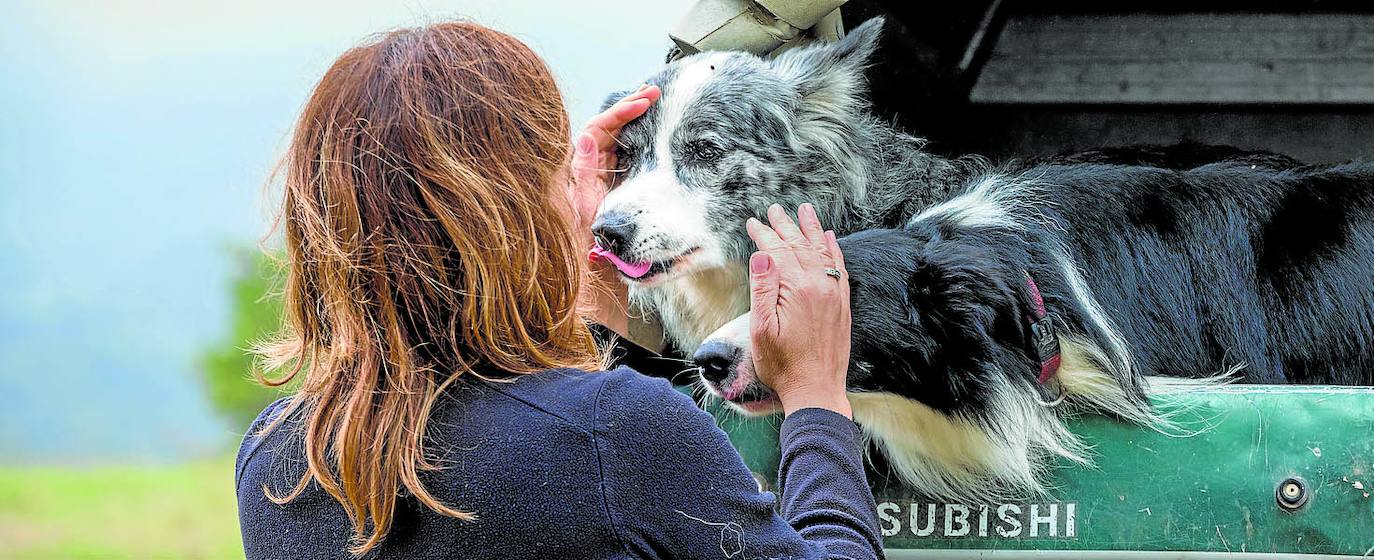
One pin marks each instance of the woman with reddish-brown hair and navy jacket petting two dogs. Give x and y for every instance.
(449, 403)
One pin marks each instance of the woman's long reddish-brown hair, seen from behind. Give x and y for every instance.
(428, 237)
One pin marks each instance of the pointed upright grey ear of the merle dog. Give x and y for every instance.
(831, 75)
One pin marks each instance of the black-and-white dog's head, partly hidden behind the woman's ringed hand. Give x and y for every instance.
(936, 320)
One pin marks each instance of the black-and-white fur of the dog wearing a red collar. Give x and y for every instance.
(1228, 268)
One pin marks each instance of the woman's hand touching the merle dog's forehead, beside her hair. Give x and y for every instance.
(594, 160)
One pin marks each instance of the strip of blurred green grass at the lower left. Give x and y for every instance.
(183, 511)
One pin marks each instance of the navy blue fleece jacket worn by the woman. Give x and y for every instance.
(570, 465)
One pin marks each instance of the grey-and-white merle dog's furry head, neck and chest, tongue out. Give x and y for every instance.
(734, 134)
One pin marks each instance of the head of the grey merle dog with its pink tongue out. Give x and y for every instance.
(732, 135)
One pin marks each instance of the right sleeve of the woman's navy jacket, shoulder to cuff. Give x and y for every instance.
(675, 488)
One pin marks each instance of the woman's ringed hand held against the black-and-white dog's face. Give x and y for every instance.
(800, 314)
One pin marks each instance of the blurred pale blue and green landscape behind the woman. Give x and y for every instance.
(137, 139)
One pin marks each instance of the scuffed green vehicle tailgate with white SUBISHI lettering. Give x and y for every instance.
(1211, 492)
